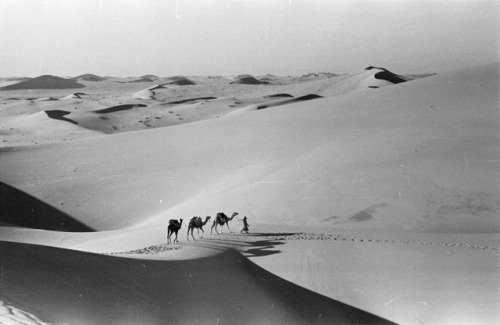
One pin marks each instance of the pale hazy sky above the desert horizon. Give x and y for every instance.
(228, 37)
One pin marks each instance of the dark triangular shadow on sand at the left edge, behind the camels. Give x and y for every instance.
(18, 208)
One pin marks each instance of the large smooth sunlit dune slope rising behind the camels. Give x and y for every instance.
(417, 156)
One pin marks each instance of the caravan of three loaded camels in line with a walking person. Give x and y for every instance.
(197, 223)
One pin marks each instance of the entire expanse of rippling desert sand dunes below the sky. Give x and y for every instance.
(372, 198)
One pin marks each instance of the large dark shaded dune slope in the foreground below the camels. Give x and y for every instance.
(82, 288)
